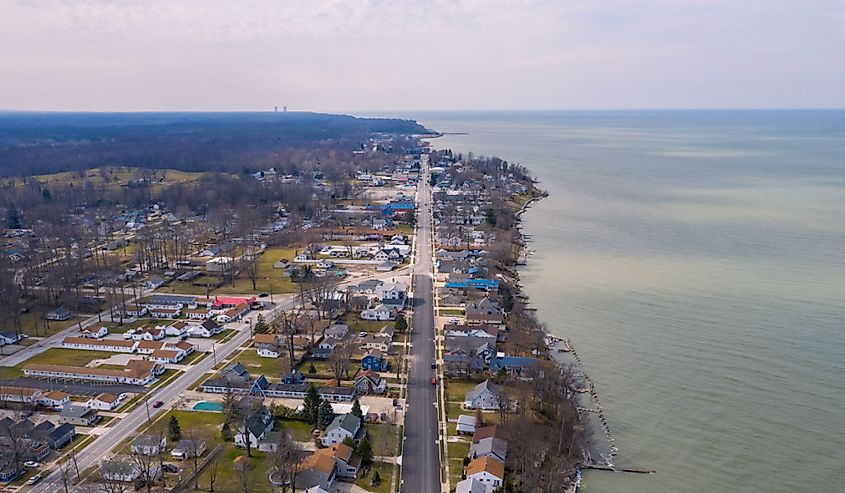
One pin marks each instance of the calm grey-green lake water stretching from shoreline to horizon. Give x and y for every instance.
(697, 262)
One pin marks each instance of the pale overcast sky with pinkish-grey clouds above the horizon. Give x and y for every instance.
(420, 55)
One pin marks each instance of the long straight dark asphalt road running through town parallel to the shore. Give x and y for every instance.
(420, 458)
